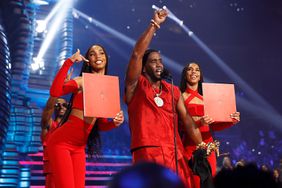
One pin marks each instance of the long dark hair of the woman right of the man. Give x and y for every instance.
(183, 81)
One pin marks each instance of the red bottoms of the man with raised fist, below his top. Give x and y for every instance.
(163, 156)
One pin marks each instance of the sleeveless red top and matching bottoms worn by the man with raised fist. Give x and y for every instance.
(152, 127)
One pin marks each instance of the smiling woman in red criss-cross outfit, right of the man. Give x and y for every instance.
(191, 88)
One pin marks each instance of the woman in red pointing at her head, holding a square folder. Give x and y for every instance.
(66, 145)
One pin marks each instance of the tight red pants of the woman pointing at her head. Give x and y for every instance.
(66, 152)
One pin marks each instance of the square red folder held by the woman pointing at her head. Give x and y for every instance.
(101, 97)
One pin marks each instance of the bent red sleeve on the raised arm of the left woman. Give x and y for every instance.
(59, 87)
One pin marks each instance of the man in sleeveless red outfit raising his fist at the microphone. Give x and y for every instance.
(152, 113)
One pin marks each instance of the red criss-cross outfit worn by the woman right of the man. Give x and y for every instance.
(189, 145)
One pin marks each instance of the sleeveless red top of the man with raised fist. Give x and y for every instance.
(149, 124)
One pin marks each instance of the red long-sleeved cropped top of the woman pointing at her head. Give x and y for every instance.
(59, 87)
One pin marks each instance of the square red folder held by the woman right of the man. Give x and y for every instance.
(219, 101)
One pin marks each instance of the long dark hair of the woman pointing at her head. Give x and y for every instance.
(94, 140)
